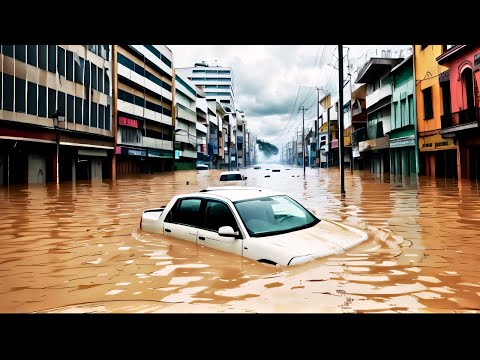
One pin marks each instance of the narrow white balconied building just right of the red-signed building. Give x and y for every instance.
(185, 123)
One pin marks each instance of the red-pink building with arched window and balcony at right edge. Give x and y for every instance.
(461, 122)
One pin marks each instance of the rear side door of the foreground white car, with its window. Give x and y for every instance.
(183, 219)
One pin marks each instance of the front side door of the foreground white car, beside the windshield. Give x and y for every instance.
(219, 214)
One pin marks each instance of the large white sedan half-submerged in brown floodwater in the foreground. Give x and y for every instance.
(256, 223)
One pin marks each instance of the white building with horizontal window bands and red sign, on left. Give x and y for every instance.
(144, 97)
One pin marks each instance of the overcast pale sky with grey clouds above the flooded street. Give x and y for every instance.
(272, 81)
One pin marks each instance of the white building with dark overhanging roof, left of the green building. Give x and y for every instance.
(376, 74)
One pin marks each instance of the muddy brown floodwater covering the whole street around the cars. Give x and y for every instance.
(78, 248)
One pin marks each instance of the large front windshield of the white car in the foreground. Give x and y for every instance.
(273, 215)
